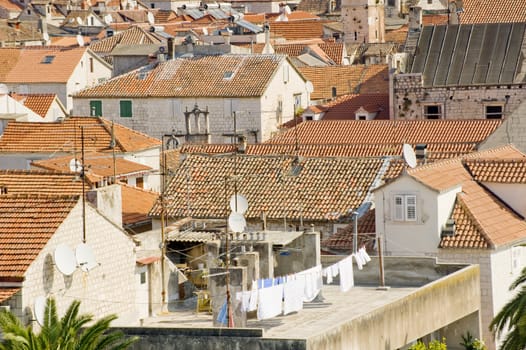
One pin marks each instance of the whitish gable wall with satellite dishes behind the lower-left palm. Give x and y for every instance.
(106, 289)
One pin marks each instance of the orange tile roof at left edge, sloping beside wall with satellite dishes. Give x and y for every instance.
(26, 225)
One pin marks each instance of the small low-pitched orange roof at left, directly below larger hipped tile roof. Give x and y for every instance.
(98, 165)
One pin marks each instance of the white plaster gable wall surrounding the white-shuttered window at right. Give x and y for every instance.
(420, 237)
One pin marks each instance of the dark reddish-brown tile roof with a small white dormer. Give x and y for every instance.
(346, 106)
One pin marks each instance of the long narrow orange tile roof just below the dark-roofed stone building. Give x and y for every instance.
(388, 132)
